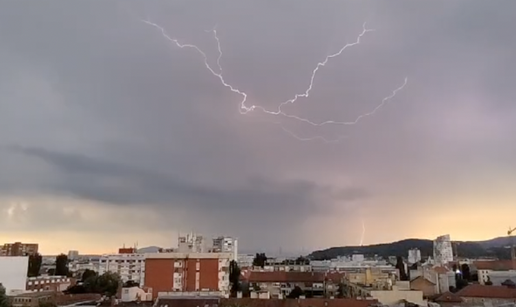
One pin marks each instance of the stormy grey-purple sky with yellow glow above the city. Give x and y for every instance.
(110, 134)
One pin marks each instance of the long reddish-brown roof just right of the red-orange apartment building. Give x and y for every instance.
(281, 276)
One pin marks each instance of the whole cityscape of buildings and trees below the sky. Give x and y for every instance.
(201, 271)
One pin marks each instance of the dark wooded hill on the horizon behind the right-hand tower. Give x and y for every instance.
(470, 249)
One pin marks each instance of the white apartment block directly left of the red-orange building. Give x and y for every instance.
(127, 266)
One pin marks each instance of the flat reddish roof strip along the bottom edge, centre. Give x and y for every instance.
(308, 302)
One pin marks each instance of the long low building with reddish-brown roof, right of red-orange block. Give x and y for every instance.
(279, 284)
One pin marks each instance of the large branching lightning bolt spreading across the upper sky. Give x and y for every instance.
(244, 109)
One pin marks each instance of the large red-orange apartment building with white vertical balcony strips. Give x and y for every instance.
(187, 272)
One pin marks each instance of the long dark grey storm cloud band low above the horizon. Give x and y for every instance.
(110, 182)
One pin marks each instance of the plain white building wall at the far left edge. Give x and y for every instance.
(13, 273)
